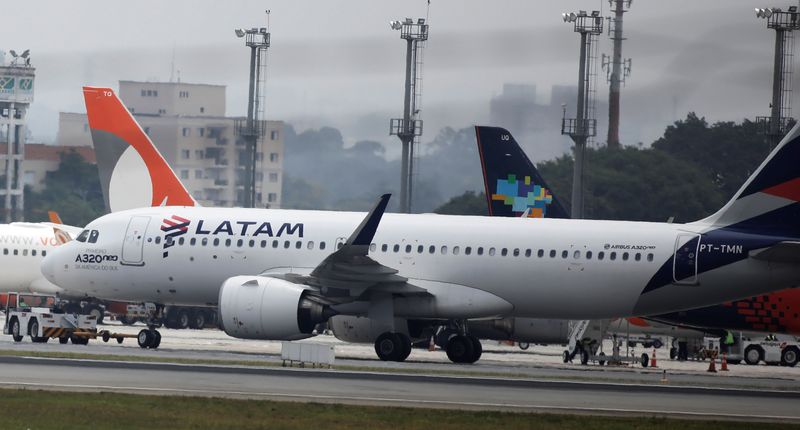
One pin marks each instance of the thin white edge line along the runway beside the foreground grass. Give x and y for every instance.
(746, 417)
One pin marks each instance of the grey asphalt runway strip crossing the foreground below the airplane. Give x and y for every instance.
(399, 389)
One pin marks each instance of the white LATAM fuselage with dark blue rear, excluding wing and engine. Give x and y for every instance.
(549, 268)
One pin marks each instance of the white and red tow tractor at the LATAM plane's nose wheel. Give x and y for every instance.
(40, 317)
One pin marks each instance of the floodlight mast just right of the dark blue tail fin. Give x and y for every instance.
(581, 128)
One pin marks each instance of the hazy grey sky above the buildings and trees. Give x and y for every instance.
(338, 63)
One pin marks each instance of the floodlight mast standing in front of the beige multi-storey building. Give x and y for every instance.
(258, 40)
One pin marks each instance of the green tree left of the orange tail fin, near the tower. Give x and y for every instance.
(73, 190)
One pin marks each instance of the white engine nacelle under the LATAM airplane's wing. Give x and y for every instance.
(261, 307)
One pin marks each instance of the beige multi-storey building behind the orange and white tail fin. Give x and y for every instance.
(187, 123)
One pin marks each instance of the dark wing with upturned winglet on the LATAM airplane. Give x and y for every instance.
(349, 271)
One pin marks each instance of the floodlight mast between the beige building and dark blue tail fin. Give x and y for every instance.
(409, 127)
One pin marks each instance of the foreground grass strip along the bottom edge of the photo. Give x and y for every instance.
(37, 409)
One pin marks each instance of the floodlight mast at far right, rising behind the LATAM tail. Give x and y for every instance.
(784, 23)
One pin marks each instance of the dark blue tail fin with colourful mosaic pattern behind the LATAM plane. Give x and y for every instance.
(513, 185)
